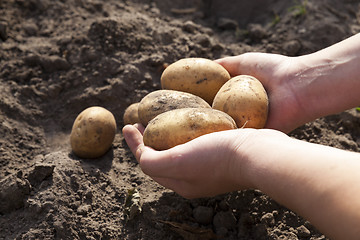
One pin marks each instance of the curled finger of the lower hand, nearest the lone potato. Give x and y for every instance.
(134, 139)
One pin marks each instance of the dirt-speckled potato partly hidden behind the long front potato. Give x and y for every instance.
(165, 100)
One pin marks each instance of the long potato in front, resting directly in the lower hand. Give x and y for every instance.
(182, 125)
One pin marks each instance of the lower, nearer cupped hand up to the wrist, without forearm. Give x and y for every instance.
(211, 164)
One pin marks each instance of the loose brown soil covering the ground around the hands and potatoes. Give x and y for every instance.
(59, 57)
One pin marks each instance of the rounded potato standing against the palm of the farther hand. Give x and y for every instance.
(245, 100)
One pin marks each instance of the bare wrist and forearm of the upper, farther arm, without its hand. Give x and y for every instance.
(328, 80)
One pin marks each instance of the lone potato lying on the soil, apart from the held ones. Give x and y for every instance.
(93, 132)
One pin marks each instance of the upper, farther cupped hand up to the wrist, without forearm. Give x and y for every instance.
(278, 74)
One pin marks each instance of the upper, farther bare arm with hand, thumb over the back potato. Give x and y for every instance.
(304, 88)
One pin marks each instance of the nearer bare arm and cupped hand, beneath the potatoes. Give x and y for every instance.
(296, 174)
